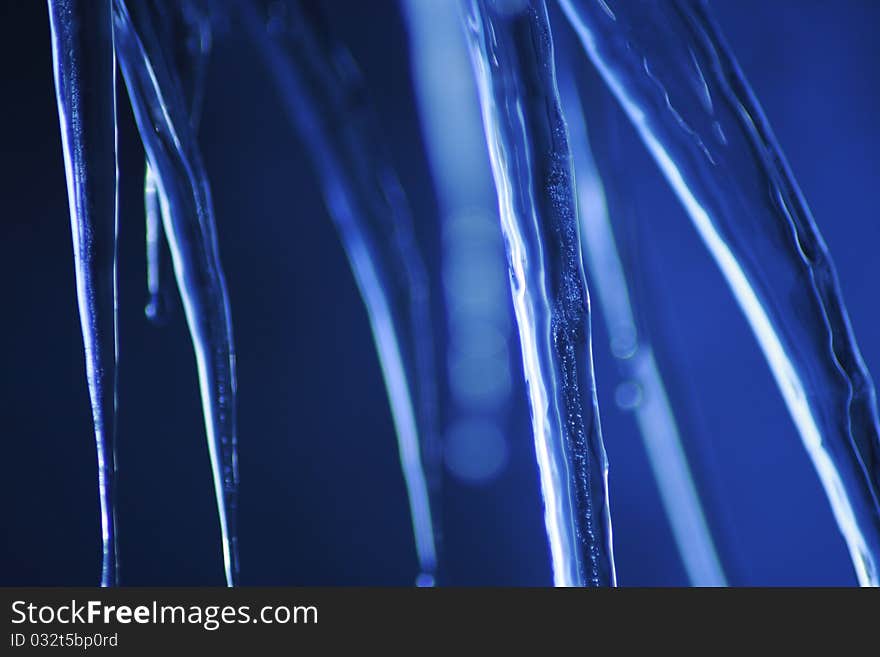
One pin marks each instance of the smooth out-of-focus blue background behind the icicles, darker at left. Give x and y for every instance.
(322, 496)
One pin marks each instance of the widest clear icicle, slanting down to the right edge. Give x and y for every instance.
(680, 85)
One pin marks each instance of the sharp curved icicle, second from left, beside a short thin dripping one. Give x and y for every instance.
(163, 120)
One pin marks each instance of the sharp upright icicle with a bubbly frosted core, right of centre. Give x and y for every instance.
(512, 53)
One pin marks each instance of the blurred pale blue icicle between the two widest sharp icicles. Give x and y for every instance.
(635, 357)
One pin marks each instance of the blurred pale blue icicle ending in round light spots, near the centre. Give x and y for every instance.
(478, 326)
